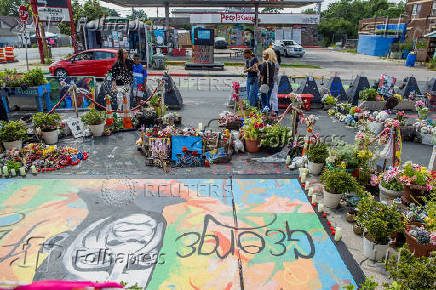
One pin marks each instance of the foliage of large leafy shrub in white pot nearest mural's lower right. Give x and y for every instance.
(379, 220)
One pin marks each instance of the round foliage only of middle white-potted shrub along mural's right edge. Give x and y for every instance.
(338, 181)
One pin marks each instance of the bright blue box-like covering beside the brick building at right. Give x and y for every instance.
(376, 45)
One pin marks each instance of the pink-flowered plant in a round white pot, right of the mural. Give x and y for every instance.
(390, 185)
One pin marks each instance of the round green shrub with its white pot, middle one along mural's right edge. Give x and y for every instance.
(337, 182)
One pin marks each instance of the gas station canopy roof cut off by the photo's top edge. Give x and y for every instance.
(214, 3)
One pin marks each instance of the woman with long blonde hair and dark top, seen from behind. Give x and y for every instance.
(267, 69)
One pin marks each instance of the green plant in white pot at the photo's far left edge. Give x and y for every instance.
(12, 134)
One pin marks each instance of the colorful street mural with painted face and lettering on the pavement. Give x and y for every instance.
(166, 234)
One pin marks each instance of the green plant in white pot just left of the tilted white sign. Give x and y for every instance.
(48, 123)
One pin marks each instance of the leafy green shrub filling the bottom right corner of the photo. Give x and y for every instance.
(411, 272)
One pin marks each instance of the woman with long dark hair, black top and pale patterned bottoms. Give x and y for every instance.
(122, 76)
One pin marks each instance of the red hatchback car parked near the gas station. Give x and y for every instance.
(92, 62)
